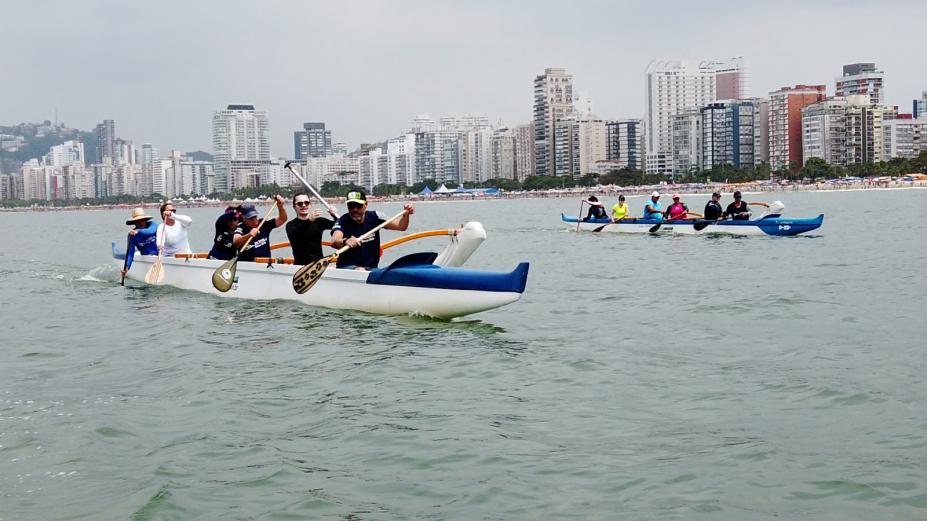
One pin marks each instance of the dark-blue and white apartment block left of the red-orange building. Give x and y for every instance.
(733, 133)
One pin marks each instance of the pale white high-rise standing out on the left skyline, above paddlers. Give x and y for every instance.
(241, 147)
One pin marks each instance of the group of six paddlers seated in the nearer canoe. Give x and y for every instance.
(239, 233)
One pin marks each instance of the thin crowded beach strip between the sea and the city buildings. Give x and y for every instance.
(565, 193)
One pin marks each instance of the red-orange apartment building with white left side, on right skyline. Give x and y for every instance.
(785, 134)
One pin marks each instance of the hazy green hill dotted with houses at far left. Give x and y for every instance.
(20, 143)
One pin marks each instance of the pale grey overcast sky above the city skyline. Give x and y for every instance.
(367, 68)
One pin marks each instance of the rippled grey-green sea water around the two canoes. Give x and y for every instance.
(639, 377)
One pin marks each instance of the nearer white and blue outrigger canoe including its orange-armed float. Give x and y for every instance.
(427, 283)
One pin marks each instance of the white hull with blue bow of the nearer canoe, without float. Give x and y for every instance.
(346, 289)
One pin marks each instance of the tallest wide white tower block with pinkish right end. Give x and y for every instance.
(673, 86)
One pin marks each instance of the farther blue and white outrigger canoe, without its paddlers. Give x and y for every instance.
(770, 223)
